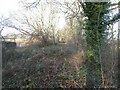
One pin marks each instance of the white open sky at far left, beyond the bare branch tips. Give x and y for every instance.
(7, 7)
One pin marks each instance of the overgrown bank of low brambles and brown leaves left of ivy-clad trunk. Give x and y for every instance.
(50, 66)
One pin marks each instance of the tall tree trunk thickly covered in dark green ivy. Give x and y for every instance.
(95, 33)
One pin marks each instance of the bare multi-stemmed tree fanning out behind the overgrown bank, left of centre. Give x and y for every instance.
(39, 24)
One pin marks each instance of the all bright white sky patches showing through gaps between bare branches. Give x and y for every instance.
(11, 6)
